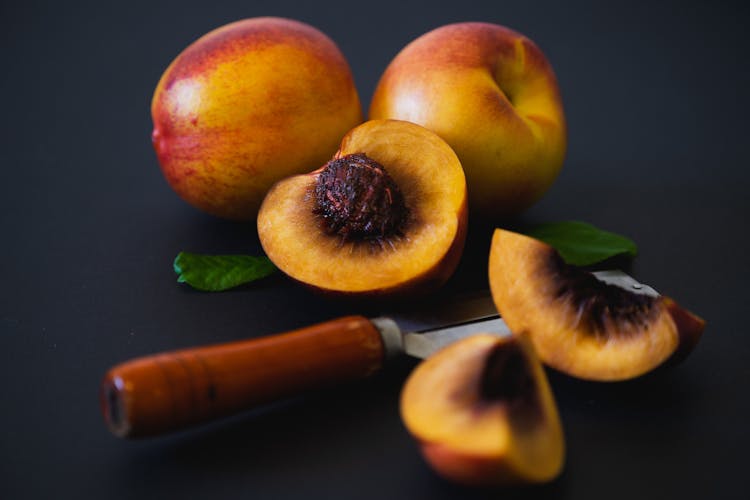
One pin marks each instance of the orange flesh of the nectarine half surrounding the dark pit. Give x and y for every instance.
(432, 182)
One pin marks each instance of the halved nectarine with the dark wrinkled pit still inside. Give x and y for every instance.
(386, 215)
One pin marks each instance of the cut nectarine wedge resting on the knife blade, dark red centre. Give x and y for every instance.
(578, 324)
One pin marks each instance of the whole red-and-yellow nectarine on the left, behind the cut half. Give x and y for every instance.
(247, 105)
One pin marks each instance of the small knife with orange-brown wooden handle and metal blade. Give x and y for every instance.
(169, 391)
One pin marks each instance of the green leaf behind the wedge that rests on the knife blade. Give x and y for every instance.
(582, 244)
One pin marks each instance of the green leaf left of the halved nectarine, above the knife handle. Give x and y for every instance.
(214, 273)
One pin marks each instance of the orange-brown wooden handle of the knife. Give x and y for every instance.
(169, 391)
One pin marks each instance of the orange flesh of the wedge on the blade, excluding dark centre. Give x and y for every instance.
(526, 296)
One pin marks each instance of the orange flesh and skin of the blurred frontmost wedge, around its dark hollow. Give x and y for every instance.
(473, 441)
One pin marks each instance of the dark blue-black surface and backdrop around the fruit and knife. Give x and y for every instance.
(655, 96)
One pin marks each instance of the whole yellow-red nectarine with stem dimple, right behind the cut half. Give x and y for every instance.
(492, 95)
